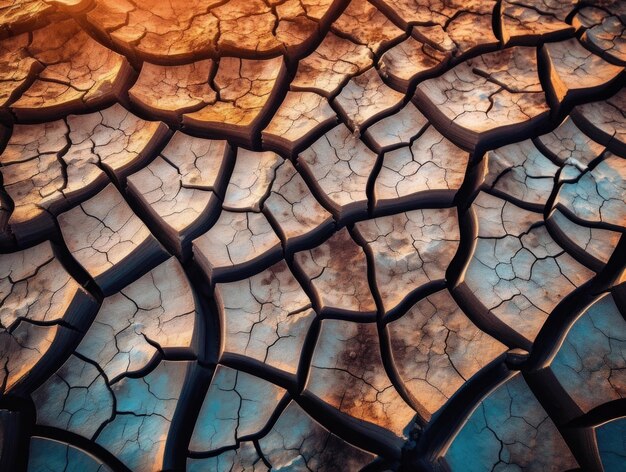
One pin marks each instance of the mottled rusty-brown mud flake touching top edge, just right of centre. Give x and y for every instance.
(367, 25)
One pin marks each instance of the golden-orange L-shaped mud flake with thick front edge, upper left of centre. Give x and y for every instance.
(244, 87)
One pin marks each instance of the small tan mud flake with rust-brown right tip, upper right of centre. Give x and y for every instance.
(409, 61)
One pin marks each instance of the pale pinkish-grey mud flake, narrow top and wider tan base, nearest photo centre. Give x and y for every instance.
(293, 208)
